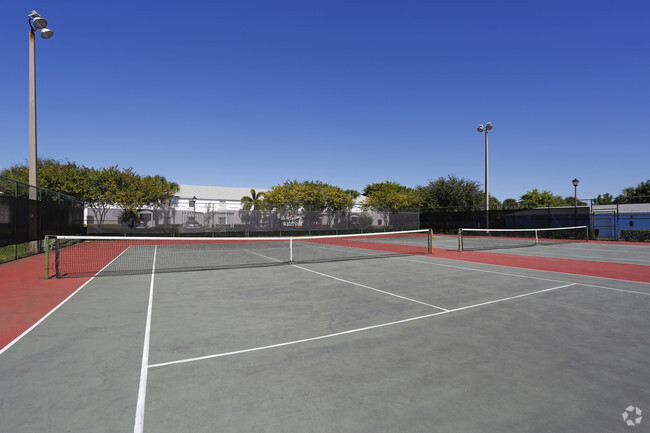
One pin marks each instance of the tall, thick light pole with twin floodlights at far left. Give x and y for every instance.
(36, 23)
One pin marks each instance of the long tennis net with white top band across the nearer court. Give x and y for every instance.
(108, 255)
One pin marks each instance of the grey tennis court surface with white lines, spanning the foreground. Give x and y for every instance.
(399, 342)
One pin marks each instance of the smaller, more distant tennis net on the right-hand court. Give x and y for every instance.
(487, 239)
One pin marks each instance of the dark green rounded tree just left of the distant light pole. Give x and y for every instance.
(454, 192)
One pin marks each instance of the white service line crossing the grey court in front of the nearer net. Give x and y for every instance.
(352, 331)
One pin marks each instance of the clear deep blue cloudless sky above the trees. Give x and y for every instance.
(252, 93)
